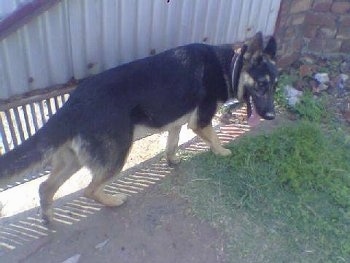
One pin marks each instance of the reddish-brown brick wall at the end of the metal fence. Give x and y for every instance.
(312, 26)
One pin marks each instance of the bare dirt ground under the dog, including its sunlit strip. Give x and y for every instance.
(152, 226)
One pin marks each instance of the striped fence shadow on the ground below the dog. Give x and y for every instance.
(20, 229)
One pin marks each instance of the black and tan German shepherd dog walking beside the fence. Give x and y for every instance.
(107, 112)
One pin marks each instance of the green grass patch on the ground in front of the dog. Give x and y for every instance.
(283, 196)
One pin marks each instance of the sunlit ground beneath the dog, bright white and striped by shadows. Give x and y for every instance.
(23, 198)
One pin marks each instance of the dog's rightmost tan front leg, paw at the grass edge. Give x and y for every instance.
(209, 135)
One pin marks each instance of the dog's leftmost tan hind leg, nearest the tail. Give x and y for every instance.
(64, 164)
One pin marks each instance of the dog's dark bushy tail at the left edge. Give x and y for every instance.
(33, 153)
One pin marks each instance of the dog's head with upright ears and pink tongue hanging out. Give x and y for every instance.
(257, 78)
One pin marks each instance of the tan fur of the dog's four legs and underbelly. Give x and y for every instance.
(71, 156)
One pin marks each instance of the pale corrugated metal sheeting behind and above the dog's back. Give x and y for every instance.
(76, 38)
